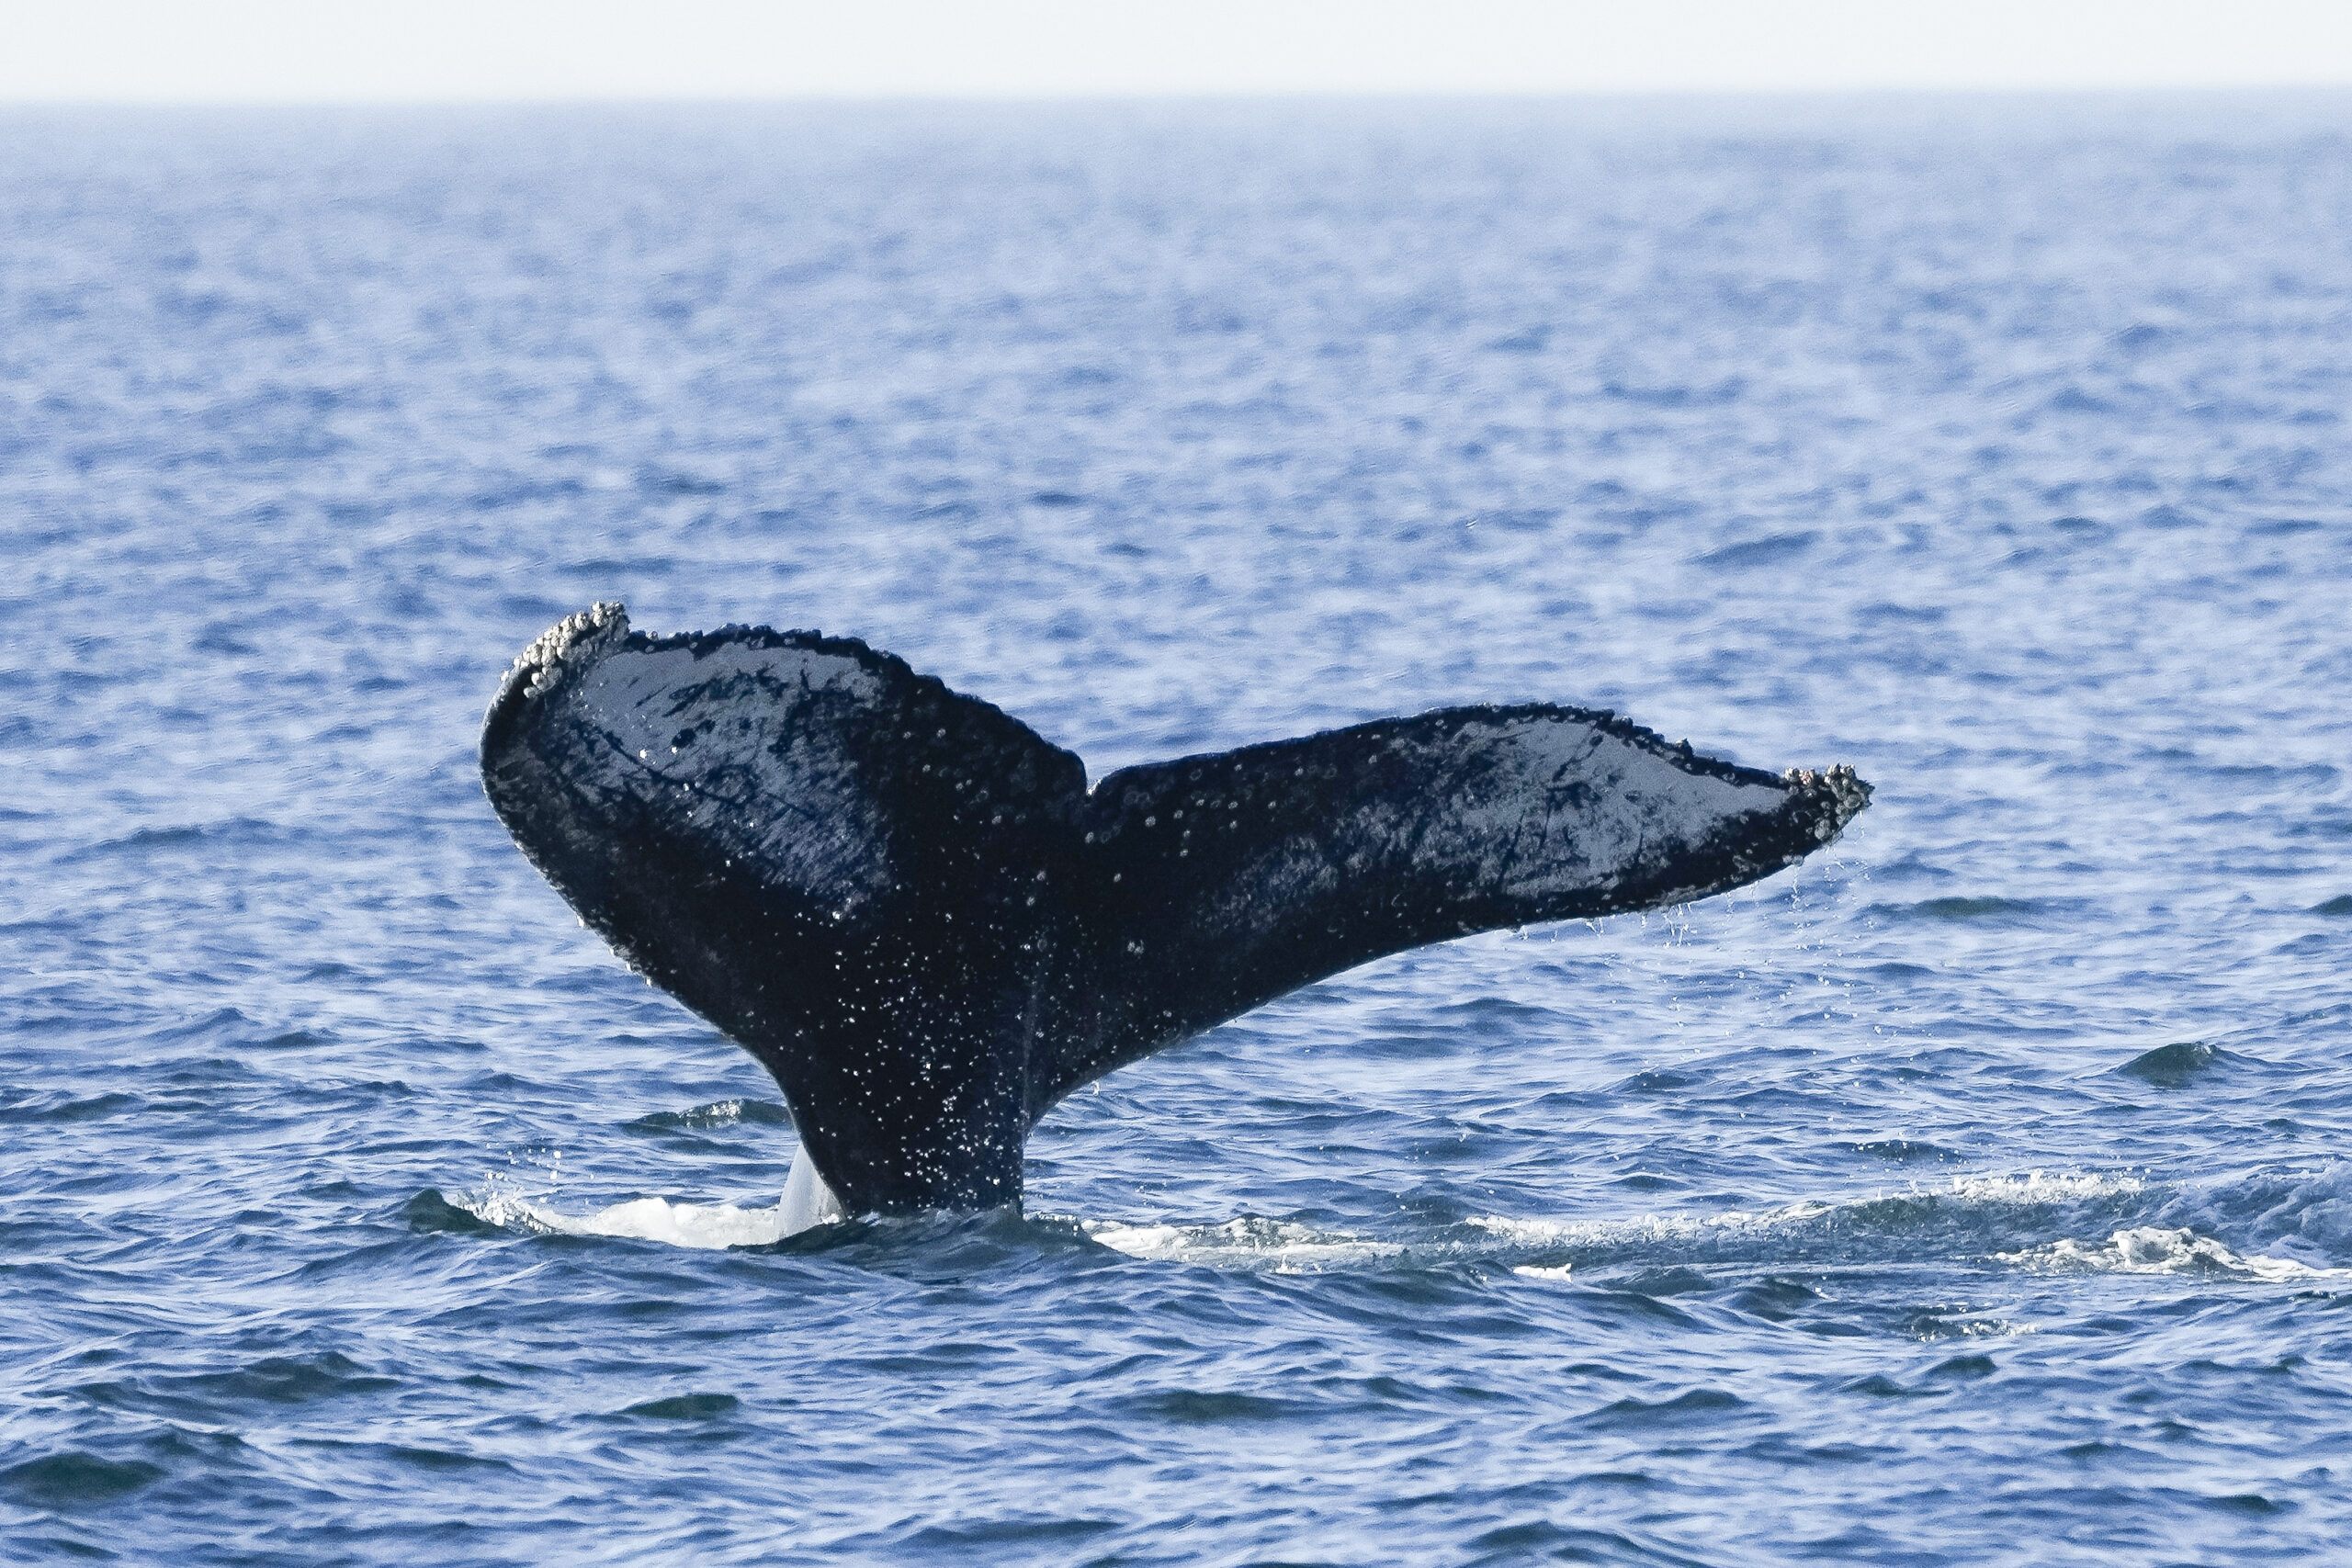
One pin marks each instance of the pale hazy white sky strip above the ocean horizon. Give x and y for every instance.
(528, 51)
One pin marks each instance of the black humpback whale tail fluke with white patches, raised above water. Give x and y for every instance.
(916, 913)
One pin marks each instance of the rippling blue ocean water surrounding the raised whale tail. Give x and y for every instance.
(1979, 1193)
